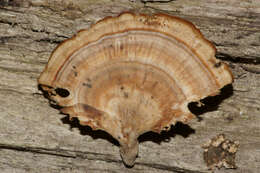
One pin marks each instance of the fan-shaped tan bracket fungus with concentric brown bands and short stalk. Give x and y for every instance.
(133, 73)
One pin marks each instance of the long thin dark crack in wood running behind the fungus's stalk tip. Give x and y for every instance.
(89, 156)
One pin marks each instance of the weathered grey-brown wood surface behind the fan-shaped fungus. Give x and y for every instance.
(34, 137)
